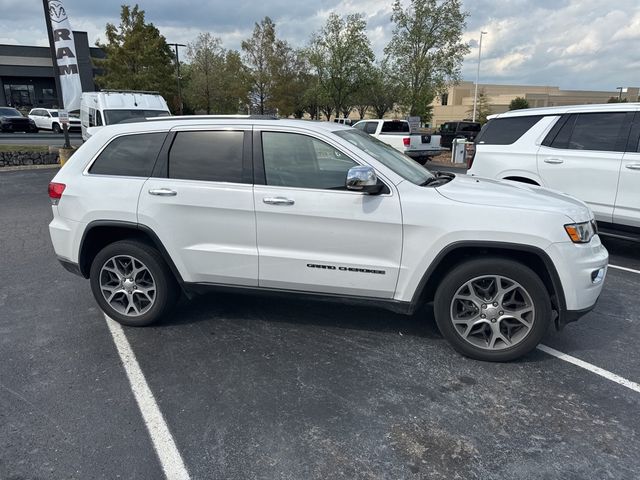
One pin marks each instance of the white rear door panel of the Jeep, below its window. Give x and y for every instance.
(207, 228)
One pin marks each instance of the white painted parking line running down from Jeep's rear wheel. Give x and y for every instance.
(163, 443)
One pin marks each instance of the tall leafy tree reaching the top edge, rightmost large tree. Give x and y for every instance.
(426, 50)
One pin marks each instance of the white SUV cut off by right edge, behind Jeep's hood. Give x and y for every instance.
(591, 152)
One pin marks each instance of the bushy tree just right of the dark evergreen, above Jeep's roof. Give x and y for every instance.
(217, 80)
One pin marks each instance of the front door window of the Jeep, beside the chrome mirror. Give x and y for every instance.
(292, 160)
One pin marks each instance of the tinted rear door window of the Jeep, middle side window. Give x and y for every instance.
(214, 156)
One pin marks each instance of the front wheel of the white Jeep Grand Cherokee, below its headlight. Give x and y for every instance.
(492, 309)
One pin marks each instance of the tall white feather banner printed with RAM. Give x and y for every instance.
(65, 55)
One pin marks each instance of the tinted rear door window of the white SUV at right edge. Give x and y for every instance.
(595, 131)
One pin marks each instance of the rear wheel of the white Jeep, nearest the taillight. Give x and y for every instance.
(132, 283)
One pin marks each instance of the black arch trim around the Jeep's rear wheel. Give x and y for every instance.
(101, 233)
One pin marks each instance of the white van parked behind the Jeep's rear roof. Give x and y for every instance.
(109, 107)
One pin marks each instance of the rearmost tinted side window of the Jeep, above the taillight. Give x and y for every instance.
(131, 155)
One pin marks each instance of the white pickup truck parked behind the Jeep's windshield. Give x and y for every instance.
(397, 133)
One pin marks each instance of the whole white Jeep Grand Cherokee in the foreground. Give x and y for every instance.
(148, 210)
